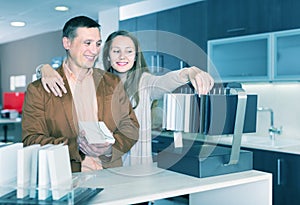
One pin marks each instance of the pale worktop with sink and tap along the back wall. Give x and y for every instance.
(282, 143)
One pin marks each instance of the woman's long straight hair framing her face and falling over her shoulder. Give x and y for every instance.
(134, 74)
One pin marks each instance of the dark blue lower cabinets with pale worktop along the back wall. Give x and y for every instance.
(281, 158)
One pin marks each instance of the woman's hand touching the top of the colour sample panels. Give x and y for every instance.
(201, 80)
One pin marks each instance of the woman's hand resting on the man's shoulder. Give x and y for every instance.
(51, 80)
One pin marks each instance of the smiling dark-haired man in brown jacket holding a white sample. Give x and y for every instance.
(93, 95)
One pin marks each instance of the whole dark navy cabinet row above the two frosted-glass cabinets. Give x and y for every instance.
(243, 17)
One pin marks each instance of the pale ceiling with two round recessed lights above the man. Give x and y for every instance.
(41, 17)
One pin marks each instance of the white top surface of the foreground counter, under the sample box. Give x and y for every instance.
(128, 185)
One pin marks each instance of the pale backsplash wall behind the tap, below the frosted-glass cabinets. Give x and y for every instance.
(284, 99)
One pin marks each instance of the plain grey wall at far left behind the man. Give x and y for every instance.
(23, 56)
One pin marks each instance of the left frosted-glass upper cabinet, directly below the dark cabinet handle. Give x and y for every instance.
(240, 59)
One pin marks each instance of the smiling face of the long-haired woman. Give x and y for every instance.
(122, 54)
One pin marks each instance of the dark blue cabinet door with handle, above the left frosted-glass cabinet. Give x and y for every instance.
(239, 17)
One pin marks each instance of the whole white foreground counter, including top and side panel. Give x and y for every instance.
(135, 184)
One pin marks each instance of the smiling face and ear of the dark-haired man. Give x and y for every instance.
(84, 49)
